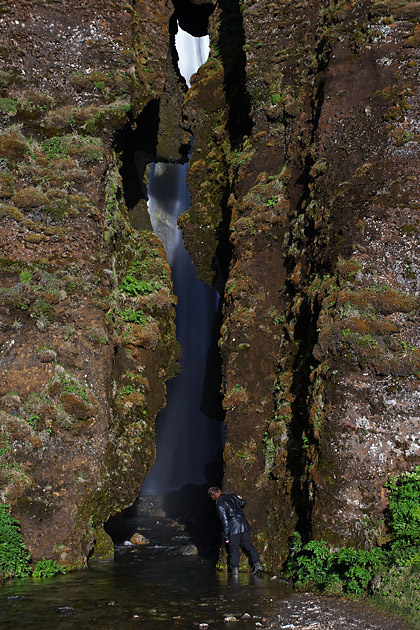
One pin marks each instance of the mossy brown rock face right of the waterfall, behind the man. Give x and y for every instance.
(305, 157)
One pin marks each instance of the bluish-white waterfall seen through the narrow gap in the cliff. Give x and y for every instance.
(187, 440)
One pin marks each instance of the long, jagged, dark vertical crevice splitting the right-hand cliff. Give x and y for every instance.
(302, 444)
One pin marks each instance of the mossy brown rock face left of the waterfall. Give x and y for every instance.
(87, 336)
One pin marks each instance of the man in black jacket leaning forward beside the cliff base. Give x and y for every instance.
(235, 529)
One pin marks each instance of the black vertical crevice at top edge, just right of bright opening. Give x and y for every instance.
(230, 45)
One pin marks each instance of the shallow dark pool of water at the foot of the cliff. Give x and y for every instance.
(154, 588)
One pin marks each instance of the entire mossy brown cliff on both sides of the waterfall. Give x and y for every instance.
(304, 212)
